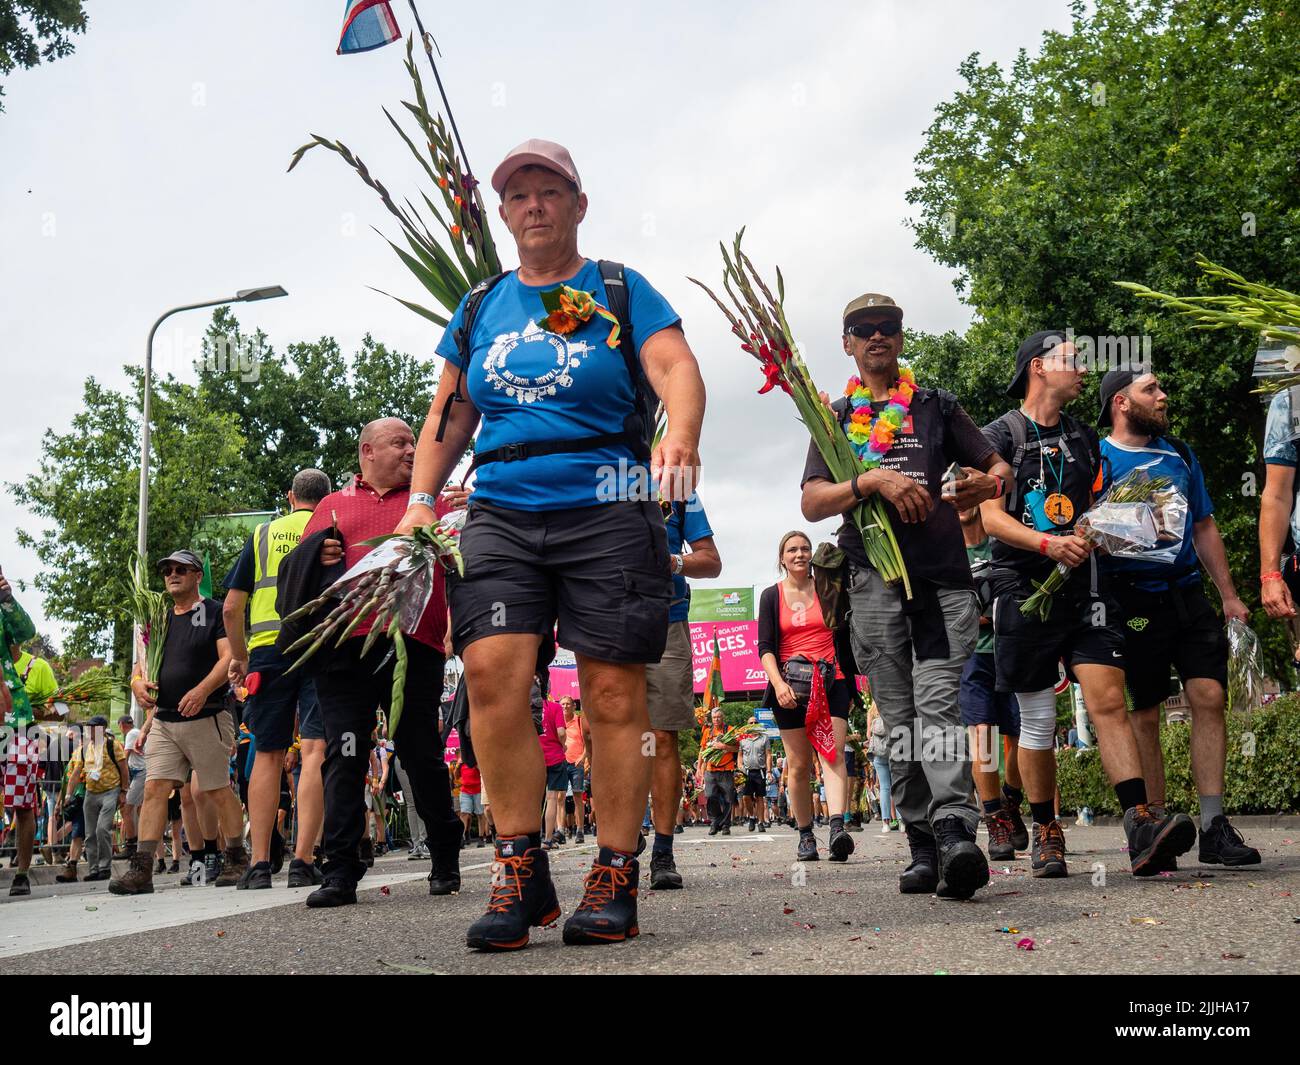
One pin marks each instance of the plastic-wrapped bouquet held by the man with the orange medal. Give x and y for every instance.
(1138, 517)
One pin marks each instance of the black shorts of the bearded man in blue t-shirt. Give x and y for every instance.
(1177, 630)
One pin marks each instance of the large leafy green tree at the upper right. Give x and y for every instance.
(1149, 133)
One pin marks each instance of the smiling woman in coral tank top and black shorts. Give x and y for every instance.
(791, 624)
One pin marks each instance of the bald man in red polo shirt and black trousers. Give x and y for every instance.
(350, 687)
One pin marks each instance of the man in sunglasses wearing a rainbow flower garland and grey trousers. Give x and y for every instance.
(915, 651)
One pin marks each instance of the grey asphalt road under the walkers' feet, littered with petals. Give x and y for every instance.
(744, 911)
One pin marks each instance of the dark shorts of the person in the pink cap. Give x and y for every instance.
(601, 573)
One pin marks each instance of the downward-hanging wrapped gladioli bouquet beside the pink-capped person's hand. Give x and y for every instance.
(391, 588)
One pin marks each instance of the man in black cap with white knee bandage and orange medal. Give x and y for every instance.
(1058, 466)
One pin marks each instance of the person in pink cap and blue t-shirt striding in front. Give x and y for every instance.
(565, 530)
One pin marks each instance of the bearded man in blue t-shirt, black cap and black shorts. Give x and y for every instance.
(1168, 620)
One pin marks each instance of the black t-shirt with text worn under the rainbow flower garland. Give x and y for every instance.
(924, 449)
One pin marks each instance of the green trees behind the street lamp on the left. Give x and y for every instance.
(229, 443)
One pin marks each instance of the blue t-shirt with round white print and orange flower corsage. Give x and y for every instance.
(534, 386)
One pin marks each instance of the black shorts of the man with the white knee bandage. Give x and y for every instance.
(1082, 630)
